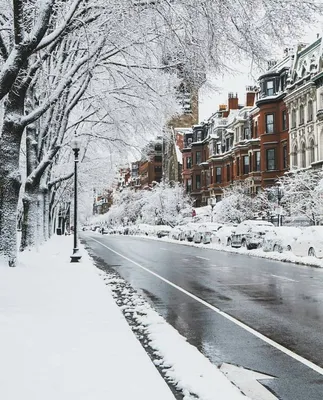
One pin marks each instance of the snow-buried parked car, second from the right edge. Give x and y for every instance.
(280, 239)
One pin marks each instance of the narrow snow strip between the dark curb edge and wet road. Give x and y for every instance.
(181, 363)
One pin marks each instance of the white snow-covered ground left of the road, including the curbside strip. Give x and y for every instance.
(62, 336)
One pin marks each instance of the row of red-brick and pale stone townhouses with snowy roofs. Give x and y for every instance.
(279, 128)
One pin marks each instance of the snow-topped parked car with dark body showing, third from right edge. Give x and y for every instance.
(250, 233)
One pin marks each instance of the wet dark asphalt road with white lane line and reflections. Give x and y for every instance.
(282, 301)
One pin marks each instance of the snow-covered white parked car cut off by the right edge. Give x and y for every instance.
(309, 243)
